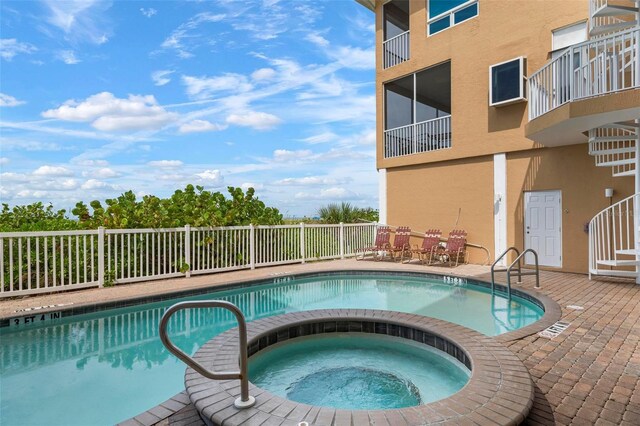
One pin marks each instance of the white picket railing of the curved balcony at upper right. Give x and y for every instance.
(592, 68)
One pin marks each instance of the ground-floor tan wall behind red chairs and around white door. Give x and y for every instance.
(430, 195)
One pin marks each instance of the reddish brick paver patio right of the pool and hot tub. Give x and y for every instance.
(589, 374)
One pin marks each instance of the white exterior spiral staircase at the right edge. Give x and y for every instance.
(614, 243)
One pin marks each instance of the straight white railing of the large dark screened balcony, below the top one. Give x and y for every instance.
(430, 135)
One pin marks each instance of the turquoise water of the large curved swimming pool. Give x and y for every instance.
(108, 366)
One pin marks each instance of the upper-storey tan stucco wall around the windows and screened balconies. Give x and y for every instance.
(503, 30)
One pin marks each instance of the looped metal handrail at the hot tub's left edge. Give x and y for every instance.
(245, 400)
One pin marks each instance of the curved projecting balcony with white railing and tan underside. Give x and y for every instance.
(588, 85)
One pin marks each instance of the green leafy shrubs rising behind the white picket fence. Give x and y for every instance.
(192, 205)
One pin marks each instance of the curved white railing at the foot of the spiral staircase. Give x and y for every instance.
(612, 237)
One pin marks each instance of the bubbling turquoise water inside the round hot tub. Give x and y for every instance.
(357, 371)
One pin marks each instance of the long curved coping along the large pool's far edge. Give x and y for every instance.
(552, 311)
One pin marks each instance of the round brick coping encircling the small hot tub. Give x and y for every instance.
(499, 390)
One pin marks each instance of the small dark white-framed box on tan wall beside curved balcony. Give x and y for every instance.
(508, 82)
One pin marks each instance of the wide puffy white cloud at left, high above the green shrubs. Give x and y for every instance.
(108, 113)
